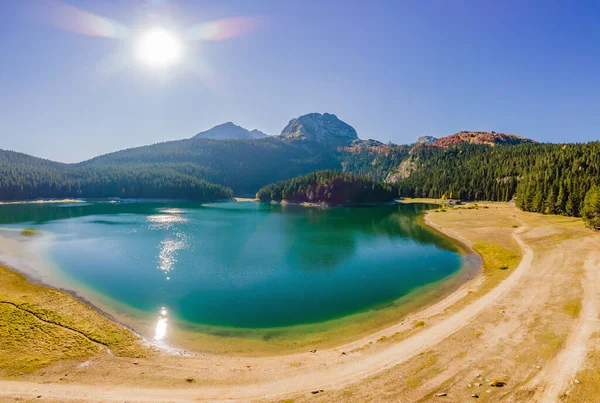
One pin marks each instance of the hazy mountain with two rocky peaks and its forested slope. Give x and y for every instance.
(245, 165)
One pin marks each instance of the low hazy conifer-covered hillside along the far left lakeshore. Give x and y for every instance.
(23, 177)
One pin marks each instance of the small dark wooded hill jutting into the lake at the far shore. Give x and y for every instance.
(329, 187)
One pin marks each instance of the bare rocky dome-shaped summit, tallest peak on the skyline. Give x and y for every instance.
(324, 129)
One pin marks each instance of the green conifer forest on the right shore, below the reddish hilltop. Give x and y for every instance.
(545, 178)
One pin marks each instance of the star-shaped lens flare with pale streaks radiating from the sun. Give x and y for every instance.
(158, 48)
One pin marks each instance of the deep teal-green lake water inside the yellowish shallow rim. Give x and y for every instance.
(244, 265)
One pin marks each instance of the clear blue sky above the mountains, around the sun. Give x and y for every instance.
(72, 85)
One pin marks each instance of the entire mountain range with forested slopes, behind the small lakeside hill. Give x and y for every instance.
(547, 178)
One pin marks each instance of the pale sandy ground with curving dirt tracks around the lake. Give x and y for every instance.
(529, 321)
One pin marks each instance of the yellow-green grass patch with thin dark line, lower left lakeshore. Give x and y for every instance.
(40, 326)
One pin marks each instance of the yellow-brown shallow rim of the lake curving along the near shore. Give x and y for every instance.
(329, 334)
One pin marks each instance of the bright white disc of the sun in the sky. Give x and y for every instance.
(159, 48)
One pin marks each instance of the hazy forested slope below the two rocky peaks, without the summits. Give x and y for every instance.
(242, 165)
